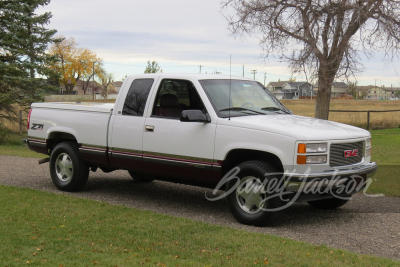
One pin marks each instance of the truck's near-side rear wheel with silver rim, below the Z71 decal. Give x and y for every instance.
(67, 169)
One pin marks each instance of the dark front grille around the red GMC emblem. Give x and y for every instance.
(337, 157)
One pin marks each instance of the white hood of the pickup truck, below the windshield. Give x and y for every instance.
(299, 127)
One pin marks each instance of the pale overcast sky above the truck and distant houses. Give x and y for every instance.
(180, 35)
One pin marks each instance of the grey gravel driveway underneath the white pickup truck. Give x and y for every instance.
(364, 225)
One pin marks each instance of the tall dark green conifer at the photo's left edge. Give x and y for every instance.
(24, 73)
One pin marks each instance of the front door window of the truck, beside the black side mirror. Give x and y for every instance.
(175, 96)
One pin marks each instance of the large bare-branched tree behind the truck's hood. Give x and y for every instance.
(326, 38)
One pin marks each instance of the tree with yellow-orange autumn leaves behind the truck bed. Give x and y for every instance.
(74, 63)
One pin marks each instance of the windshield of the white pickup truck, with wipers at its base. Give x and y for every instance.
(246, 98)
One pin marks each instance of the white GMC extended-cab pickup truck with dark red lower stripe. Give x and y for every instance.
(221, 132)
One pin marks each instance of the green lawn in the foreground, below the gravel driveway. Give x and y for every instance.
(45, 229)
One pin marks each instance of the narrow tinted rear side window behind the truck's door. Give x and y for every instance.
(136, 98)
